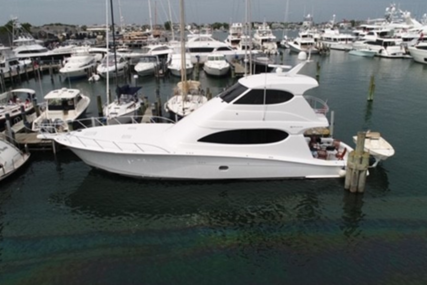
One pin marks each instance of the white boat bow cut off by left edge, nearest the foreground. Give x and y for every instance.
(11, 159)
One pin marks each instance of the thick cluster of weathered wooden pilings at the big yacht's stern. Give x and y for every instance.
(357, 166)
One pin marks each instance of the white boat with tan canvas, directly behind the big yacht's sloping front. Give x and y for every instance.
(188, 96)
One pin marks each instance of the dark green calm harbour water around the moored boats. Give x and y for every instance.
(62, 222)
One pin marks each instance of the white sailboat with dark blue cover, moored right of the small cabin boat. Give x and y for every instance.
(126, 106)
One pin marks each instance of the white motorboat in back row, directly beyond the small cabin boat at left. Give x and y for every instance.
(79, 64)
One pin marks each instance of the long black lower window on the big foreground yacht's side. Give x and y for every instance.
(247, 136)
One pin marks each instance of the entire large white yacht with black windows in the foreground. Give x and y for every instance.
(254, 130)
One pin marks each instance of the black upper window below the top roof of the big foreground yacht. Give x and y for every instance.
(257, 97)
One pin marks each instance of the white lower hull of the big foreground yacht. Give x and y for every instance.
(201, 167)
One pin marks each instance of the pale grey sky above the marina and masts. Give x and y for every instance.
(88, 12)
